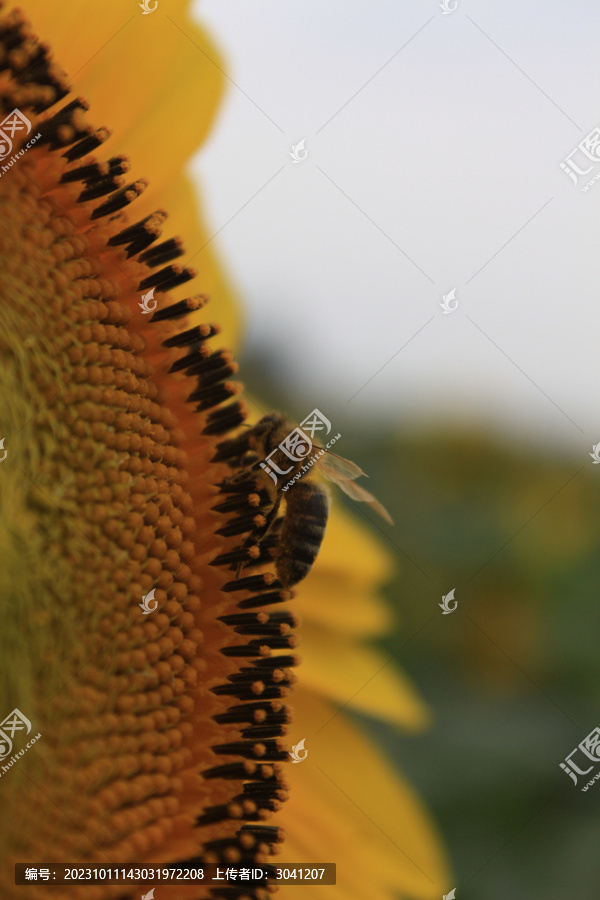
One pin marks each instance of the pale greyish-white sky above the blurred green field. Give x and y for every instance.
(434, 144)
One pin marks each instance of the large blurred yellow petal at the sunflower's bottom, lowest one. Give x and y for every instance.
(349, 807)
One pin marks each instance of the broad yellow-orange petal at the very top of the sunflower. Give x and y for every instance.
(155, 79)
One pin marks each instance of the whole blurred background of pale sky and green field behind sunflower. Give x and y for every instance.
(433, 146)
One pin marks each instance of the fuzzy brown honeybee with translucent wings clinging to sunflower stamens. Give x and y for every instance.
(295, 540)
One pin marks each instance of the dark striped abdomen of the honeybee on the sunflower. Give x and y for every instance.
(302, 532)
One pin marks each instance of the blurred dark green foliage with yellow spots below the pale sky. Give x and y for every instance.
(513, 675)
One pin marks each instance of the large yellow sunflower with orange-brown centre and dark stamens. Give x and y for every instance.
(161, 684)
